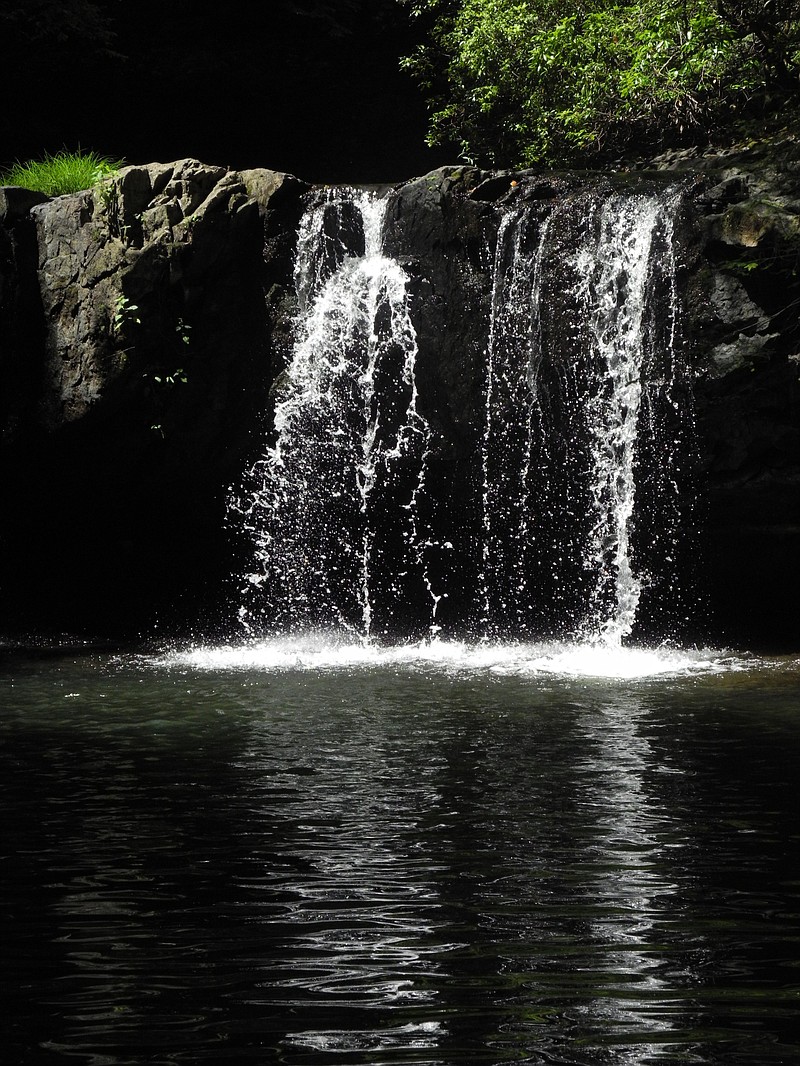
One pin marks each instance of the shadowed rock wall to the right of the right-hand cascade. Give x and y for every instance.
(744, 300)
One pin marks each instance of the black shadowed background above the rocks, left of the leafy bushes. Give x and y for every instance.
(311, 88)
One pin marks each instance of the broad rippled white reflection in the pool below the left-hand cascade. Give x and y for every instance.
(362, 930)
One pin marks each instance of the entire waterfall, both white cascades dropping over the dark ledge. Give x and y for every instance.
(579, 473)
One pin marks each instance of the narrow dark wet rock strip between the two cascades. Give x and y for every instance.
(441, 237)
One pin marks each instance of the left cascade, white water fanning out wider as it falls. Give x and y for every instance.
(333, 494)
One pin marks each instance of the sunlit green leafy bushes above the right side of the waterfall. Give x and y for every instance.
(522, 82)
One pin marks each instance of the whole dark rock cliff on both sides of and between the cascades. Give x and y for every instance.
(142, 325)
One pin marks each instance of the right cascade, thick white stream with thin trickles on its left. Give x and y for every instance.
(583, 333)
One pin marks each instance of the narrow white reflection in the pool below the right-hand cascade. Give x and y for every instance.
(634, 890)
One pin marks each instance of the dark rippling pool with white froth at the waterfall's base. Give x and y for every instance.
(397, 862)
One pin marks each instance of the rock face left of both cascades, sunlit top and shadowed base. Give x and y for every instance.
(137, 319)
